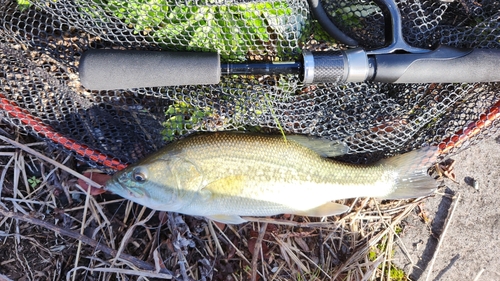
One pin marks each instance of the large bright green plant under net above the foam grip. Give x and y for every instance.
(232, 29)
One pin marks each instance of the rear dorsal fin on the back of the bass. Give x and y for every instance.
(323, 147)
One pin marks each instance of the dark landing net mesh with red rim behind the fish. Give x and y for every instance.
(41, 43)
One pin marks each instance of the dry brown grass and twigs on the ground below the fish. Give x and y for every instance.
(51, 229)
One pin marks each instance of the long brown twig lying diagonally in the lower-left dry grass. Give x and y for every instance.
(89, 241)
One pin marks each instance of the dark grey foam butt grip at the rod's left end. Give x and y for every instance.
(122, 69)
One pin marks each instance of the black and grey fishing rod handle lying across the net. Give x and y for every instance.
(397, 62)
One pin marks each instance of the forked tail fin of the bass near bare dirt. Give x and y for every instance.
(413, 180)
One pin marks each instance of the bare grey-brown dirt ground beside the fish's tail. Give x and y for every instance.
(470, 246)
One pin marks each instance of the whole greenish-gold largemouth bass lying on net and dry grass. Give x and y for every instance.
(223, 176)
